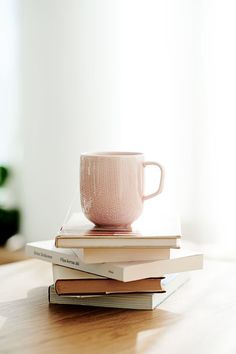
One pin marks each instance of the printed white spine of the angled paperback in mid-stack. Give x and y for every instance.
(72, 261)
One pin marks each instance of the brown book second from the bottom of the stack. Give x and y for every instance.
(74, 282)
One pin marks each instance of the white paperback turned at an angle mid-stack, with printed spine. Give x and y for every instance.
(180, 261)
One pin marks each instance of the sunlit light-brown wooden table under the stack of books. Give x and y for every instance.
(199, 318)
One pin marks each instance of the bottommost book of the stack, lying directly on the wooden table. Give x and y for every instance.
(138, 301)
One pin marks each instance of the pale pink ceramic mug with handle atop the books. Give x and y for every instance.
(112, 187)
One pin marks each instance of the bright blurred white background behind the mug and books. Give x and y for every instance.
(95, 75)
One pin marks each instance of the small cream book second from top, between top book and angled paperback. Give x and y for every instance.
(104, 255)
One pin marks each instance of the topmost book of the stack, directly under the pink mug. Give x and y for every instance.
(75, 234)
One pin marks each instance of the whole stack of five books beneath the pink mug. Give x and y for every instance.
(114, 268)
